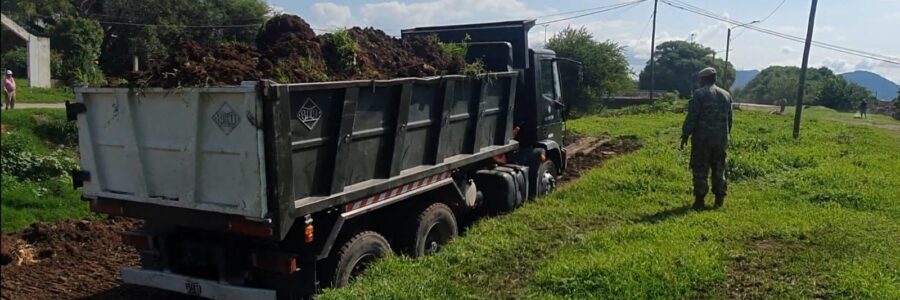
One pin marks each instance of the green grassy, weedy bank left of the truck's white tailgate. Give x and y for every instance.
(41, 132)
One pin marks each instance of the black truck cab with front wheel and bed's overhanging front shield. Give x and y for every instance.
(540, 111)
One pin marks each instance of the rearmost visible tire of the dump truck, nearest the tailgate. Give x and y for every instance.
(357, 254)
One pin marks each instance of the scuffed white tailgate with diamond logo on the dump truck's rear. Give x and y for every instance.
(191, 148)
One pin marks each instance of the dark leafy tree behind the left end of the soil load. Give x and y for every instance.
(164, 24)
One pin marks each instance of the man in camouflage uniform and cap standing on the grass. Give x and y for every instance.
(708, 124)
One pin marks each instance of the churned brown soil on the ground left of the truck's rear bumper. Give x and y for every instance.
(67, 260)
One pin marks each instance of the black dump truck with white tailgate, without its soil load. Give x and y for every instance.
(274, 191)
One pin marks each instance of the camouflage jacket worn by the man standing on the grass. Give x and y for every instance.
(709, 116)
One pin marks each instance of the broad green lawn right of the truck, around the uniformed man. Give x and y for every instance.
(814, 218)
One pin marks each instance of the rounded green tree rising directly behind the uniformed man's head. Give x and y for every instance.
(677, 64)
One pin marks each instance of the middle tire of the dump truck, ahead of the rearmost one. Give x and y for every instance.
(435, 226)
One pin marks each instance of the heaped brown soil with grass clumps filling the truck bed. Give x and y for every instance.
(287, 50)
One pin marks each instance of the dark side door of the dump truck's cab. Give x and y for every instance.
(550, 107)
